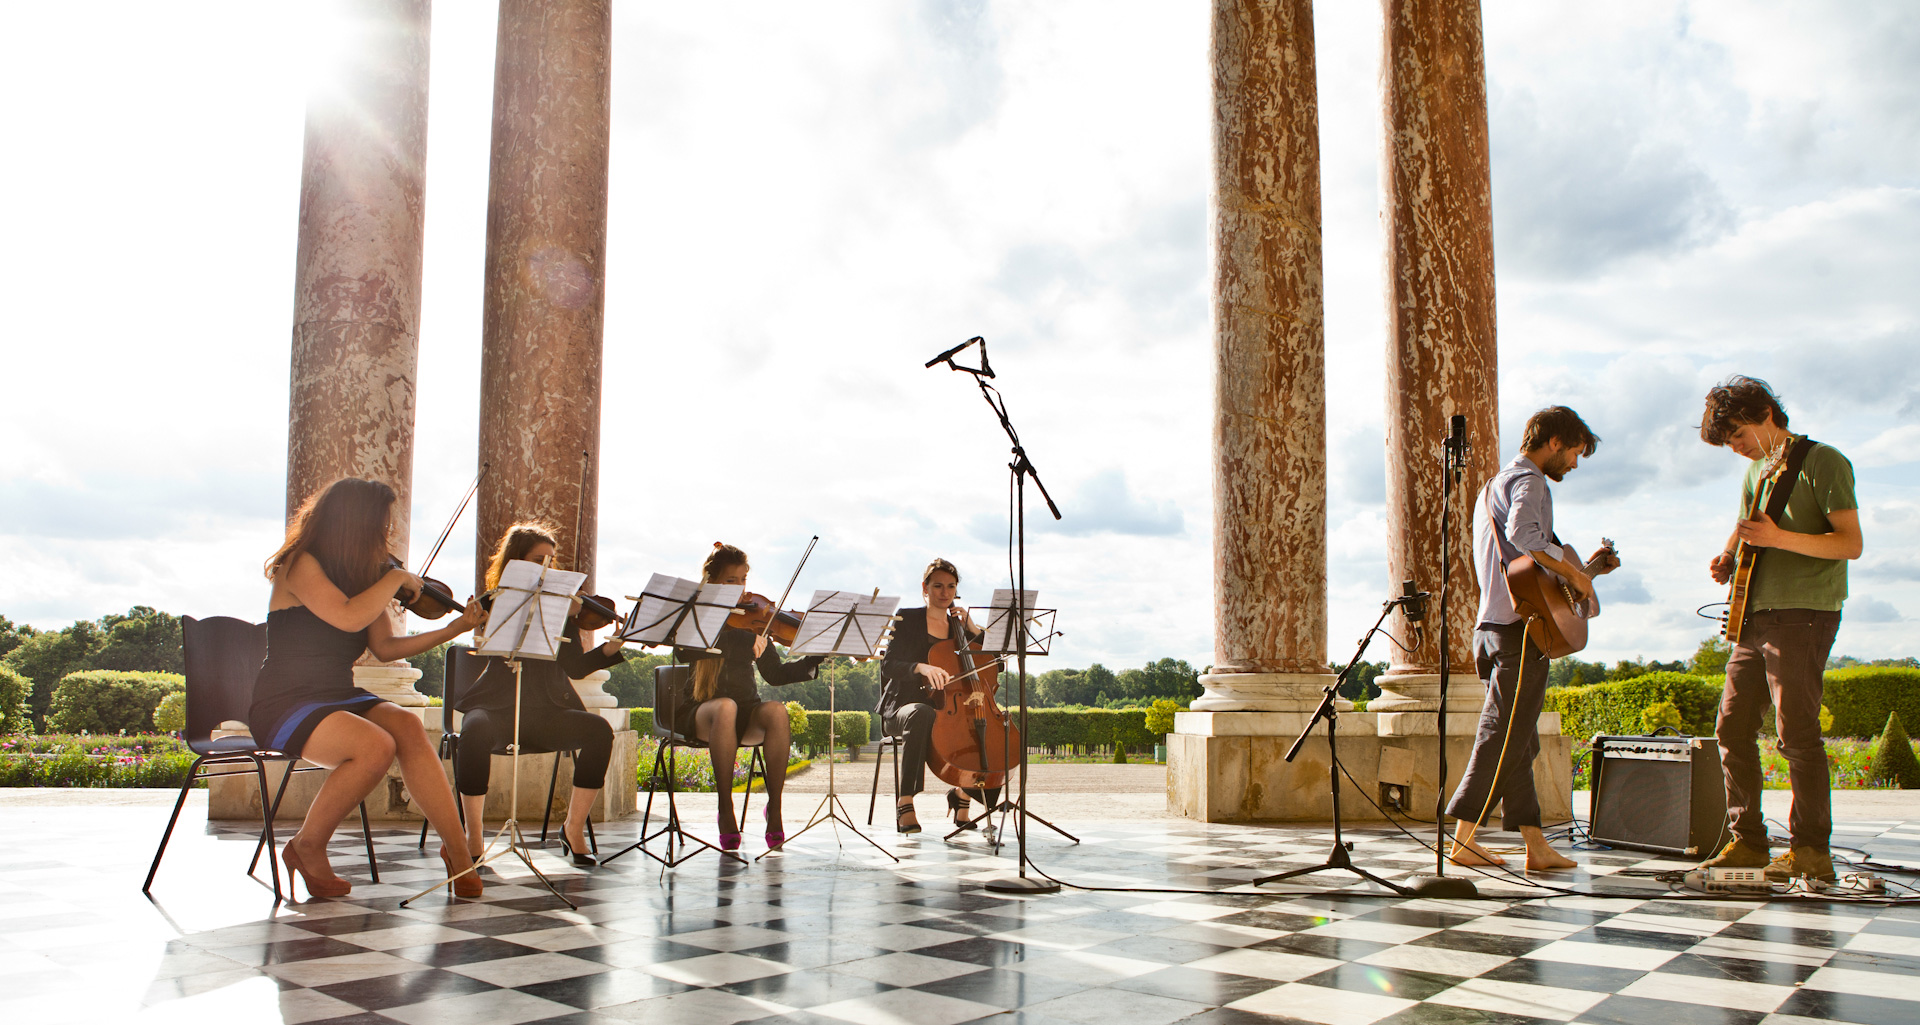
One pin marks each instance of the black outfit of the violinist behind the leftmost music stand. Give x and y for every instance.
(552, 715)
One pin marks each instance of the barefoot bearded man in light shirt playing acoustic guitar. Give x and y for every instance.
(1516, 517)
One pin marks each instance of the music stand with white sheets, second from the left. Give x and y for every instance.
(677, 613)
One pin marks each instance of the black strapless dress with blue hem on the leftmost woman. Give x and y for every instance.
(308, 677)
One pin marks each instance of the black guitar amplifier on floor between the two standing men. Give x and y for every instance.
(1658, 794)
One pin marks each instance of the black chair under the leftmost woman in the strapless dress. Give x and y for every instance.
(224, 657)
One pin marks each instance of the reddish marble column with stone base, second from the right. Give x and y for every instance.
(1270, 425)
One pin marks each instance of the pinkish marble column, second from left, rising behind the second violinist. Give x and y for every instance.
(546, 262)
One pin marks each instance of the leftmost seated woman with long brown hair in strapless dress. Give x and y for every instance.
(333, 596)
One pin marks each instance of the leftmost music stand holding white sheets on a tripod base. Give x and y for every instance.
(535, 636)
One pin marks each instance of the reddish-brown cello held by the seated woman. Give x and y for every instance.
(972, 746)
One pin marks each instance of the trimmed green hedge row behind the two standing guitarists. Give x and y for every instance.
(1860, 698)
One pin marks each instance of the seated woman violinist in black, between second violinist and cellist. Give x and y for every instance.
(727, 705)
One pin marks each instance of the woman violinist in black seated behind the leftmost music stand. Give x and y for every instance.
(552, 715)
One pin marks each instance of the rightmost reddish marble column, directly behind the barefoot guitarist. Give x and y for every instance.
(1441, 356)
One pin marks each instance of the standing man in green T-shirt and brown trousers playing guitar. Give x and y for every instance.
(1800, 513)
